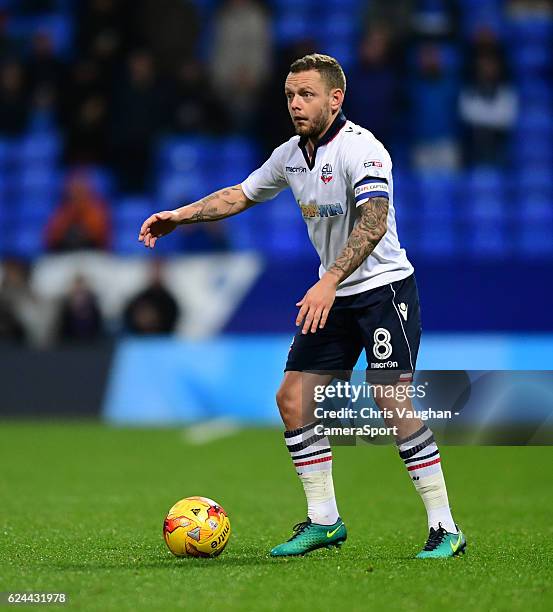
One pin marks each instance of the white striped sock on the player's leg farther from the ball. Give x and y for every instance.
(422, 460)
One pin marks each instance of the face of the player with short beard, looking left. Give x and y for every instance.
(310, 103)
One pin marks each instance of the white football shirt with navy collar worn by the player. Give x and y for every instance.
(348, 167)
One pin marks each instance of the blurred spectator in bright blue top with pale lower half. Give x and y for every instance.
(433, 116)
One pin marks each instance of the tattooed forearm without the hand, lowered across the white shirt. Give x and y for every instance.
(362, 241)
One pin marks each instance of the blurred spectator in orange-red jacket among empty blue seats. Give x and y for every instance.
(81, 221)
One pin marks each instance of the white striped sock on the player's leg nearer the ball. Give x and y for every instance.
(312, 458)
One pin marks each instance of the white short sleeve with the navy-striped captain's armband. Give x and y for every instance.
(369, 170)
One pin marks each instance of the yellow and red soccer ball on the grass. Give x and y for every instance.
(196, 527)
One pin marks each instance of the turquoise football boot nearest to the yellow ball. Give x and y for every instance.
(309, 536)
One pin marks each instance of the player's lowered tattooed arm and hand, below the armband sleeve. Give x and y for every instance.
(367, 233)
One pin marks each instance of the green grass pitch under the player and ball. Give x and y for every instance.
(81, 510)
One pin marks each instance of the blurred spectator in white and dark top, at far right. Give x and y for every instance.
(488, 110)
